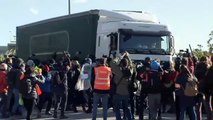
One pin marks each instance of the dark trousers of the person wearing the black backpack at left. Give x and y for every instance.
(28, 104)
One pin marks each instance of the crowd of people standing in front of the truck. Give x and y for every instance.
(185, 85)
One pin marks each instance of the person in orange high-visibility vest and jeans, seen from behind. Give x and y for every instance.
(101, 90)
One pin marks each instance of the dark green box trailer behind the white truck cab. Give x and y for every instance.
(70, 33)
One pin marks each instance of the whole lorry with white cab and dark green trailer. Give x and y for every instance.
(98, 32)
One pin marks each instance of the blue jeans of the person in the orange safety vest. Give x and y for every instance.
(96, 98)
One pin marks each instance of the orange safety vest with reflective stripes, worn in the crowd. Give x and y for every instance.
(102, 78)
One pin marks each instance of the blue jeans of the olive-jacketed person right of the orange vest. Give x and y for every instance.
(119, 100)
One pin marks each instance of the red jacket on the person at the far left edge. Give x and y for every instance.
(3, 82)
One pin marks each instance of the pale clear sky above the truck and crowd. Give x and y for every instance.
(189, 20)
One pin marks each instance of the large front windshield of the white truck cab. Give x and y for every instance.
(145, 44)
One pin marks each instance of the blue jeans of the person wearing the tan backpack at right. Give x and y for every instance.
(190, 111)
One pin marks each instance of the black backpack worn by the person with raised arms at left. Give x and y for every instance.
(25, 86)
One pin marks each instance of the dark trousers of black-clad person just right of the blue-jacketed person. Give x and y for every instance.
(61, 101)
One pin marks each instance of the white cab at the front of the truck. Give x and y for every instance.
(138, 33)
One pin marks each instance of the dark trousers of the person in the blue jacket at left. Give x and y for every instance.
(43, 98)
